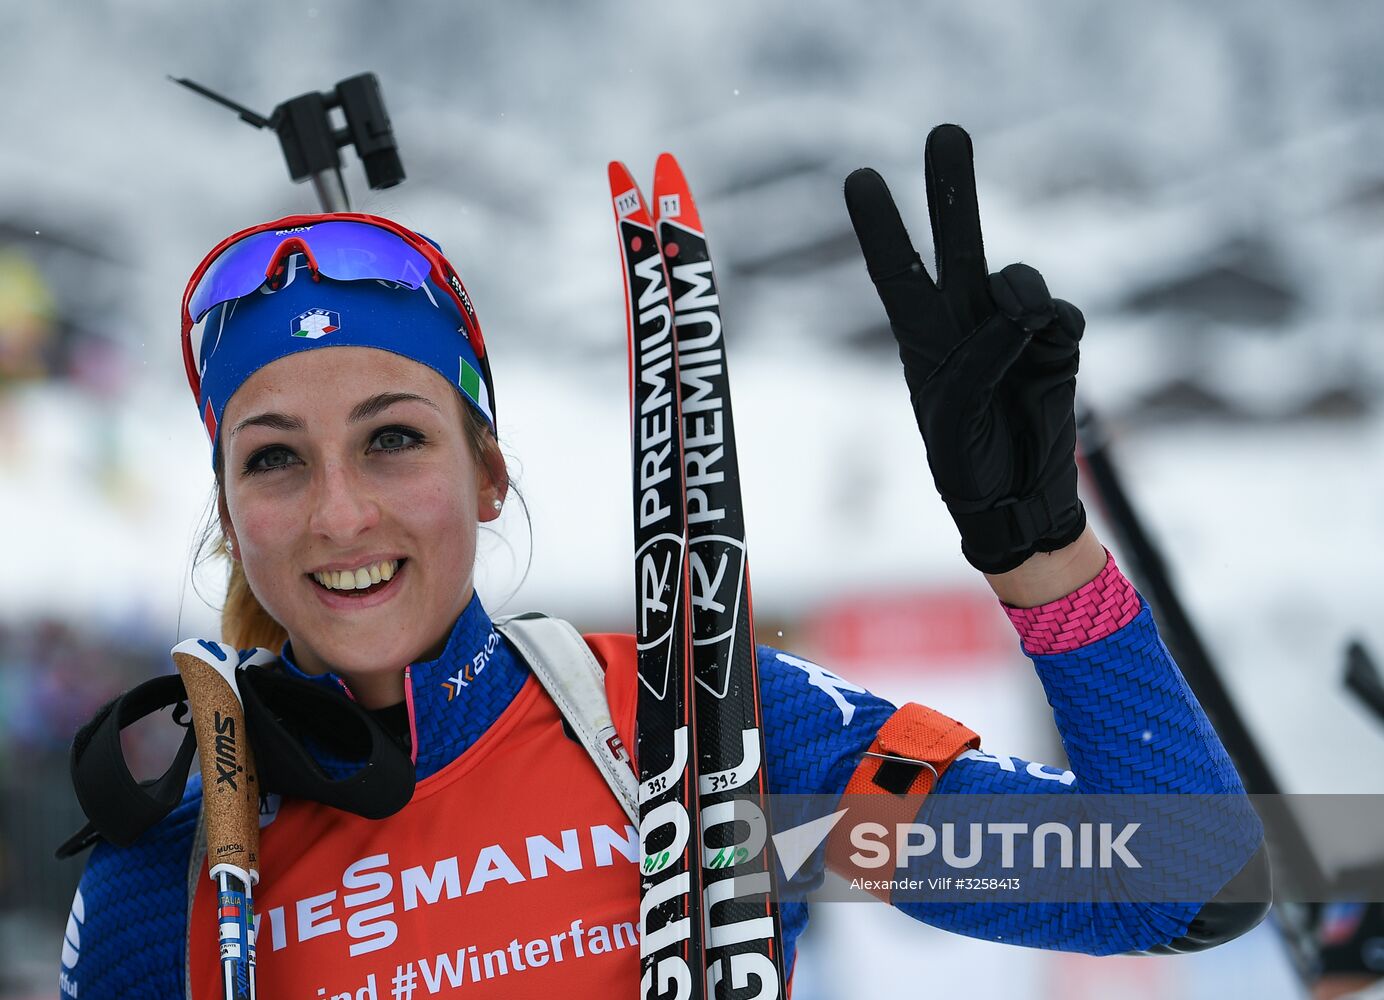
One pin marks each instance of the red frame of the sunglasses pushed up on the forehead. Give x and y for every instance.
(442, 273)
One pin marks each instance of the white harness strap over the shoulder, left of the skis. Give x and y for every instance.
(570, 672)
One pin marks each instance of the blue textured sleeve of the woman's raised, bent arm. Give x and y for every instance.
(1129, 723)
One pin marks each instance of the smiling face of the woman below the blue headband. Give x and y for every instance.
(354, 501)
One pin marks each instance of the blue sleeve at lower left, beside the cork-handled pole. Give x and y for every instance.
(128, 932)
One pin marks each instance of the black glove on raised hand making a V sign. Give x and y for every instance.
(990, 363)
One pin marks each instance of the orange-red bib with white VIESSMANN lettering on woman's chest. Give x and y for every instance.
(513, 873)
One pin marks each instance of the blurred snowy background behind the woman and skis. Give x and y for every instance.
(1208, 183)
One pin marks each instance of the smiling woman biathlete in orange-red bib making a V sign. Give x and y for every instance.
(352, 421)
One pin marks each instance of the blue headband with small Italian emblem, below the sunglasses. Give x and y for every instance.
(244, 335)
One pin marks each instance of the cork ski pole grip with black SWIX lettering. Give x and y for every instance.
(230, 790)
